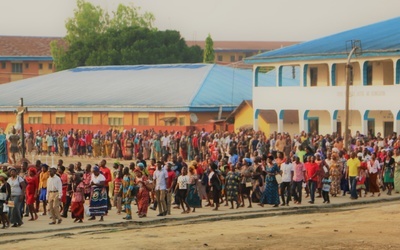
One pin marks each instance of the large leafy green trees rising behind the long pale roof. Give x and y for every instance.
(128, 38)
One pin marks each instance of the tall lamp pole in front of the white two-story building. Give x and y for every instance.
(356, 50)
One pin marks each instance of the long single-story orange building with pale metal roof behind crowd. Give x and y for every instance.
(172, 97)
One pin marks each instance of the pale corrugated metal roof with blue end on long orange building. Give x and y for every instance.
(172, 87)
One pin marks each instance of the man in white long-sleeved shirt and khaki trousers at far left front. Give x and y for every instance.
(54, 194)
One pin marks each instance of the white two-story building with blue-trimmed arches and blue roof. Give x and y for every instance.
(318, 100)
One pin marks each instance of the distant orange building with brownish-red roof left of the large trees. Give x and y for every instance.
(23, 57)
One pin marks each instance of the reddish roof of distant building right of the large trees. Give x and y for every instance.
(244, 45)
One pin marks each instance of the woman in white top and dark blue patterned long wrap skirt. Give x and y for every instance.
(98, 197)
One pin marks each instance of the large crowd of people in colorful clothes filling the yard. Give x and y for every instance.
(186, 168)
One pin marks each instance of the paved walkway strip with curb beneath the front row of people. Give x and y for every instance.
(206, 213)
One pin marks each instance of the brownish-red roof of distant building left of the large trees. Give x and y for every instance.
(26, 45)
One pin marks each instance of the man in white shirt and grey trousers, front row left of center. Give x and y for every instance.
(160, 177)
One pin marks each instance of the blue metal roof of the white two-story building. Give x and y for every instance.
(382, 38)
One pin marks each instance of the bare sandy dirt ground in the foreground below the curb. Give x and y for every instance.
(373, 226)
